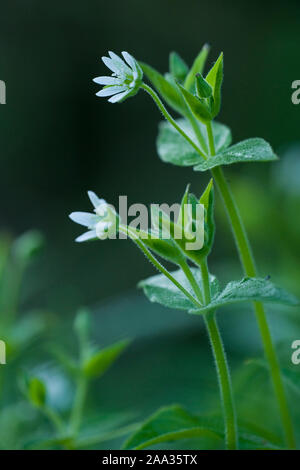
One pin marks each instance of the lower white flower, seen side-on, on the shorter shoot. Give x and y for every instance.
(102, 224)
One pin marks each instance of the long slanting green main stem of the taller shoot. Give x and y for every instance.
(247, 260)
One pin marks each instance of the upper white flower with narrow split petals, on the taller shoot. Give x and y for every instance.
(125, 80)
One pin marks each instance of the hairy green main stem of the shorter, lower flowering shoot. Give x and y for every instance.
(221, 365)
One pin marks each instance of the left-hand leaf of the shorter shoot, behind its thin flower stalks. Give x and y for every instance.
(161, 290)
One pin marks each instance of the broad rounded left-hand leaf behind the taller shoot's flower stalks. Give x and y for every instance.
(173, 148)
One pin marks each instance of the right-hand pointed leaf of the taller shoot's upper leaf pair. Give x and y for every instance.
(250, 150)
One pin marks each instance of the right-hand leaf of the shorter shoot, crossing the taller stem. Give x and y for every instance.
(249, 289)
